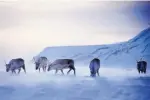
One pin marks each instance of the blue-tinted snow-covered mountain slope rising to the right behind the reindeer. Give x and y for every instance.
(119, 54)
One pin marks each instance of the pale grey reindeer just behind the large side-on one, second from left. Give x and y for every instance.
(41, 62)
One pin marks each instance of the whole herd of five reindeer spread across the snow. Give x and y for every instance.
(61, 64)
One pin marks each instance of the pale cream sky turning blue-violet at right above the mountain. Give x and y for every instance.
(28, 26)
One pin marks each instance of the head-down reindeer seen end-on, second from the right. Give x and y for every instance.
(94, 67)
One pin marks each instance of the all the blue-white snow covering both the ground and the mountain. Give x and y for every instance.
(119, 79)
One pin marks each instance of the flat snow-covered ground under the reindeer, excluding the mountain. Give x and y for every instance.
(113, 84)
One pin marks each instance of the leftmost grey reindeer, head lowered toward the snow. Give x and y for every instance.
(15, 64)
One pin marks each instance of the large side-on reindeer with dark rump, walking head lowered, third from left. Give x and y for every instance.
(61, 64)
